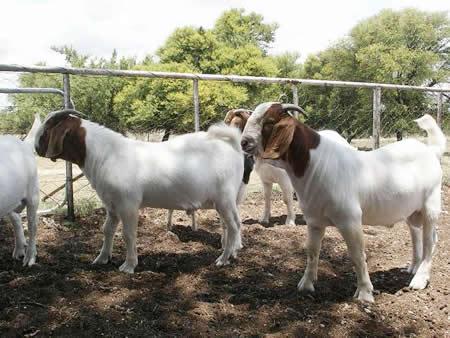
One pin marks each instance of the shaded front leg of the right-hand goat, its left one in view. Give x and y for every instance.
(315, 236)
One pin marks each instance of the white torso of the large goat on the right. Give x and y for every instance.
(384, 186)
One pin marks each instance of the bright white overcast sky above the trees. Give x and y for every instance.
(28, 28)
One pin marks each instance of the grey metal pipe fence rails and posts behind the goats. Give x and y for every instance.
(294, 83)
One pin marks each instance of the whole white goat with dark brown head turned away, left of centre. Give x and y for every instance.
(187, 172)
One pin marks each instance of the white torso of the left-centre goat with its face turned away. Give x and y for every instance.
(187, 172)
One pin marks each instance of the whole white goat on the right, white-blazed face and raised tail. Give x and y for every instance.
(343, 187)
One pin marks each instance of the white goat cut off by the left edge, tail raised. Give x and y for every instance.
(19, 188)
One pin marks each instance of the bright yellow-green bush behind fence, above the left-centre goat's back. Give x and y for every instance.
(159, 104)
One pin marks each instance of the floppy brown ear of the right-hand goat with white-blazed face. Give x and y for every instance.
(279, 140)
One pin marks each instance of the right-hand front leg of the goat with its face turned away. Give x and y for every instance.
(130, 221)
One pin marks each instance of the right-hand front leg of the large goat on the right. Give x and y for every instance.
(353, 236)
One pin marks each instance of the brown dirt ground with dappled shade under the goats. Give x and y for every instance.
(178, 291)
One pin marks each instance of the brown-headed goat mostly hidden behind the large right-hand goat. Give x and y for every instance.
(270, 174)
